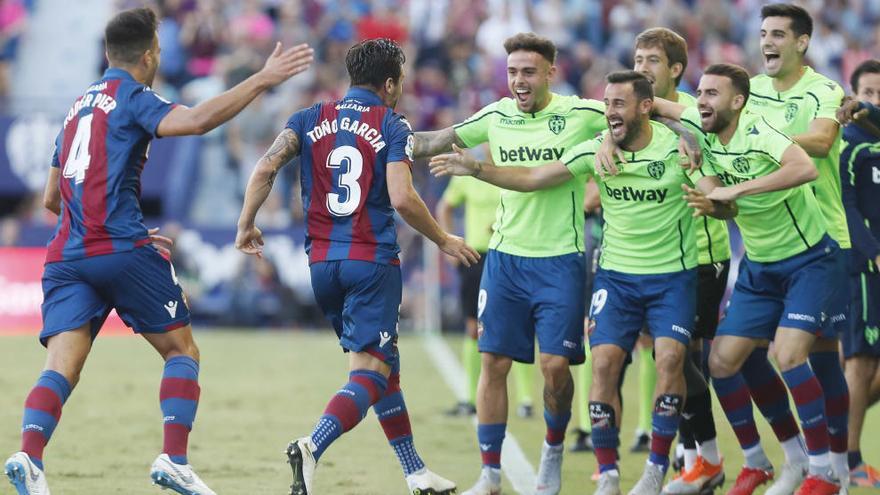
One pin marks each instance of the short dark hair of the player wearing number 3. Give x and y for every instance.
(372, 62)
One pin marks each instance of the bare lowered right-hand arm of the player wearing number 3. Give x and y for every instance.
(412, 209)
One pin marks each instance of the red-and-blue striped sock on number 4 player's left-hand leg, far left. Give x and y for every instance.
(42, 411)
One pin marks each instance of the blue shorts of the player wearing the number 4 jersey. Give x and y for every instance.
(140, 284)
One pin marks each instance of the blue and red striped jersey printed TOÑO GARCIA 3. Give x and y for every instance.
(345, 147)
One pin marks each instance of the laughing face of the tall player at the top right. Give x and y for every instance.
(783, 51)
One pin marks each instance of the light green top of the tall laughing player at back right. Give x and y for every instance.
(813, 97)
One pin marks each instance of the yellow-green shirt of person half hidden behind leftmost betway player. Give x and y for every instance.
(480, 200)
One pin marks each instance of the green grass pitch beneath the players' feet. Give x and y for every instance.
(260, 390)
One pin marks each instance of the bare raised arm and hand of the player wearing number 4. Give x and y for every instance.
(280, 66)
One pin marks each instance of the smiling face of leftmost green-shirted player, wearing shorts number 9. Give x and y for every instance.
(528, 77)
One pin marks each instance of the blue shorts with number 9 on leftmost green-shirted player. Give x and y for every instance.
(522, 298)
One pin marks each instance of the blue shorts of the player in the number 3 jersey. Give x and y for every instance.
(362, 301)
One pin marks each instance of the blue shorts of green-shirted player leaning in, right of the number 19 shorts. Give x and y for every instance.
(795, 292)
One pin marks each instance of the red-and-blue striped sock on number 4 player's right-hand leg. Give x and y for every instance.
(179, 400)
